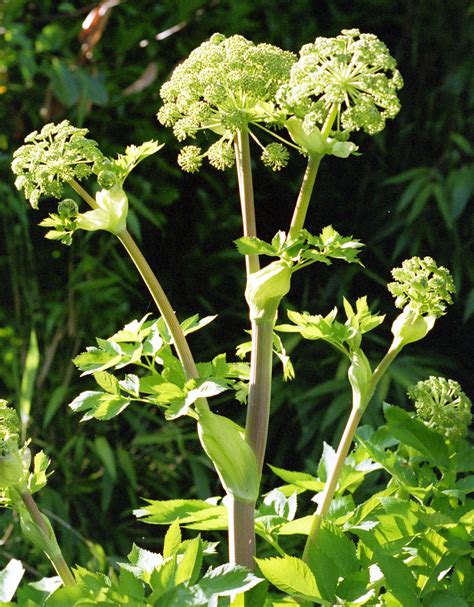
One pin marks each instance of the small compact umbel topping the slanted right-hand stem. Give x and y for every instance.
(423, 286)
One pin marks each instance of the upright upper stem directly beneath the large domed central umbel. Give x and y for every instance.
(244, 176)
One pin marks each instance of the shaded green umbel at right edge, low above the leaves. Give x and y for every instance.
(442, 405)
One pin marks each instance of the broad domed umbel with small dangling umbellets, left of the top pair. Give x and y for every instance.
(224, 85)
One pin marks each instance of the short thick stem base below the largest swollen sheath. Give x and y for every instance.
(241, 533)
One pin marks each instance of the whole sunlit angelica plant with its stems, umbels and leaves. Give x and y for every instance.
(227, 95)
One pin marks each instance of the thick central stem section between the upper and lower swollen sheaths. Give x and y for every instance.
(258, 407)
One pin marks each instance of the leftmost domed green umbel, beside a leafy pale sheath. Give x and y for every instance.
(51, 157)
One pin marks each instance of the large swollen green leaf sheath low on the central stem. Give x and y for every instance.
(224, 442)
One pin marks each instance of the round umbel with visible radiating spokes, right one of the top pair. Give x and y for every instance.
(343, 84)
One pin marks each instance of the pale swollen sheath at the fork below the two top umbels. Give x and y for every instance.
(266, 288)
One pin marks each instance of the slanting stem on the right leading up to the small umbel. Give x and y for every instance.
(342, 452)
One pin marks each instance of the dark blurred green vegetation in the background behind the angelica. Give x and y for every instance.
(410, 193)
